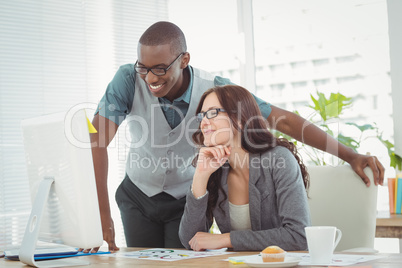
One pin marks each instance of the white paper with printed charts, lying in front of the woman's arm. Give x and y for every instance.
(165, 254)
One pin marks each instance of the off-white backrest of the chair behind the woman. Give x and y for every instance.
(338, 197)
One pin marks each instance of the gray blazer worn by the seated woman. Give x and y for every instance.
(278, 206)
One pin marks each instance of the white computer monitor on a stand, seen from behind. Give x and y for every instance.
(61, 176)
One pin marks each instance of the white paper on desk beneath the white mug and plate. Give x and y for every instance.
(337, 259)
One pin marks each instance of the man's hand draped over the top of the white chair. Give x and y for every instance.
(359, 162)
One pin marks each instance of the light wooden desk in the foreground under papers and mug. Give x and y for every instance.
(390, 261)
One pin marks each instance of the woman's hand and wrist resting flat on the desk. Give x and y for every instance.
(203, 241)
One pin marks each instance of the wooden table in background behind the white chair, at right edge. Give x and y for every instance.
(390, 226)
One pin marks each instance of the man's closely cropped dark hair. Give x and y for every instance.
(164, 32)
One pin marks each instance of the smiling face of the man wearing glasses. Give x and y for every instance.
(167, 85)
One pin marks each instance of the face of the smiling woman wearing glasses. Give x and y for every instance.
(217, 130)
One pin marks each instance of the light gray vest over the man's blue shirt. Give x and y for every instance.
(160, 158)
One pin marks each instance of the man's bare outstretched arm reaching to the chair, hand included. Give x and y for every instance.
(304, 131)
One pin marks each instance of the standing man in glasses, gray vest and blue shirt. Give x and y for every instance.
(158, 96)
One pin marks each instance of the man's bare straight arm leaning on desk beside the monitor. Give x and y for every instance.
(106, 131)
